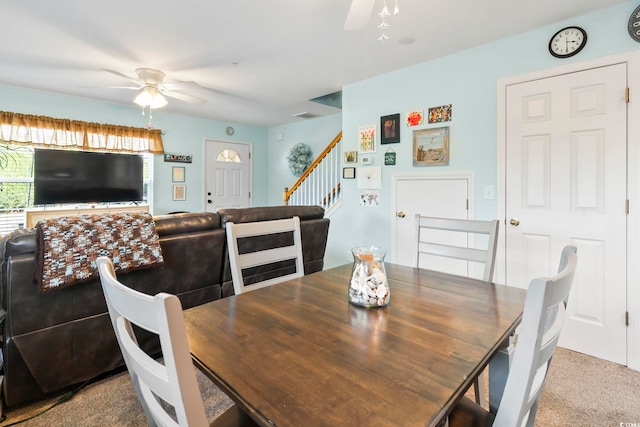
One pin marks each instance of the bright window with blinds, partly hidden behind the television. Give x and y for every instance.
(16, 184)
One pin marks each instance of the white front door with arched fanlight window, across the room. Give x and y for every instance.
(228, 175)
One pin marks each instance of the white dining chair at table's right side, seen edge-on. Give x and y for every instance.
(542, 320)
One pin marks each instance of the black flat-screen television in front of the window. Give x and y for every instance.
(62, 176)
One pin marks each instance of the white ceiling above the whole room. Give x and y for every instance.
(259, 60)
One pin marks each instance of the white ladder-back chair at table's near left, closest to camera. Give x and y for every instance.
(167, 387)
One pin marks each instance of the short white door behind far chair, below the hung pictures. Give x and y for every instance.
(429, 195)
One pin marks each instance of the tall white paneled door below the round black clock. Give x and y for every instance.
(566, 185)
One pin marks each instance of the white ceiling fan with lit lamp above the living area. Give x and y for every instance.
(152, 89)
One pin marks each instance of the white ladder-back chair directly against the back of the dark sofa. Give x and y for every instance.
(242, 257)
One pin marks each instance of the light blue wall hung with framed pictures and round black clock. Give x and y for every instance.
(468, 81)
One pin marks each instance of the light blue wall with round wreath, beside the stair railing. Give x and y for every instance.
(317, 133)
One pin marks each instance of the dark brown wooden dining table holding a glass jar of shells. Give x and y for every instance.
(299, 354)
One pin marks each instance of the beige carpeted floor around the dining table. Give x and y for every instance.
(580, 390)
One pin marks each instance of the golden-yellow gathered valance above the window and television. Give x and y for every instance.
(42, 131)
